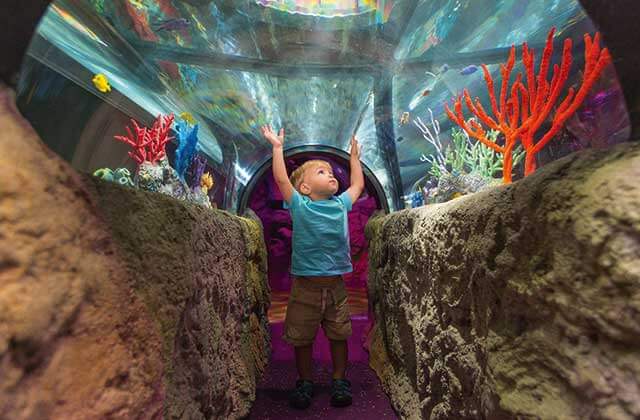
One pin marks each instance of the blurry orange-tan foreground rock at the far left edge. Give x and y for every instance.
(75, 341)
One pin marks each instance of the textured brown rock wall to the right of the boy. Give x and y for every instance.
(522, 301)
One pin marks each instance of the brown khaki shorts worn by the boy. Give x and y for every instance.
(317, 301)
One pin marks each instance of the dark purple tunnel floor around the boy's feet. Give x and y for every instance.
(272, 394)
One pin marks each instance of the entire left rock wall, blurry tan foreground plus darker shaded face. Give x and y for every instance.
(122, 303)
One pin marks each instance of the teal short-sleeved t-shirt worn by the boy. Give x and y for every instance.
(320, 235)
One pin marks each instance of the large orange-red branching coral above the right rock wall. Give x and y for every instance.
(523, 109)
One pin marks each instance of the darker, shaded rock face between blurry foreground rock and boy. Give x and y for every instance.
(207, 290)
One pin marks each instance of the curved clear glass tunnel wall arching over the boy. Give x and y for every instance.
(323, 70)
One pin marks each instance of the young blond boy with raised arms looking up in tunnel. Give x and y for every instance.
(320, 256)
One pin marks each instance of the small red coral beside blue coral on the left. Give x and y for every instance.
(148, 144)
